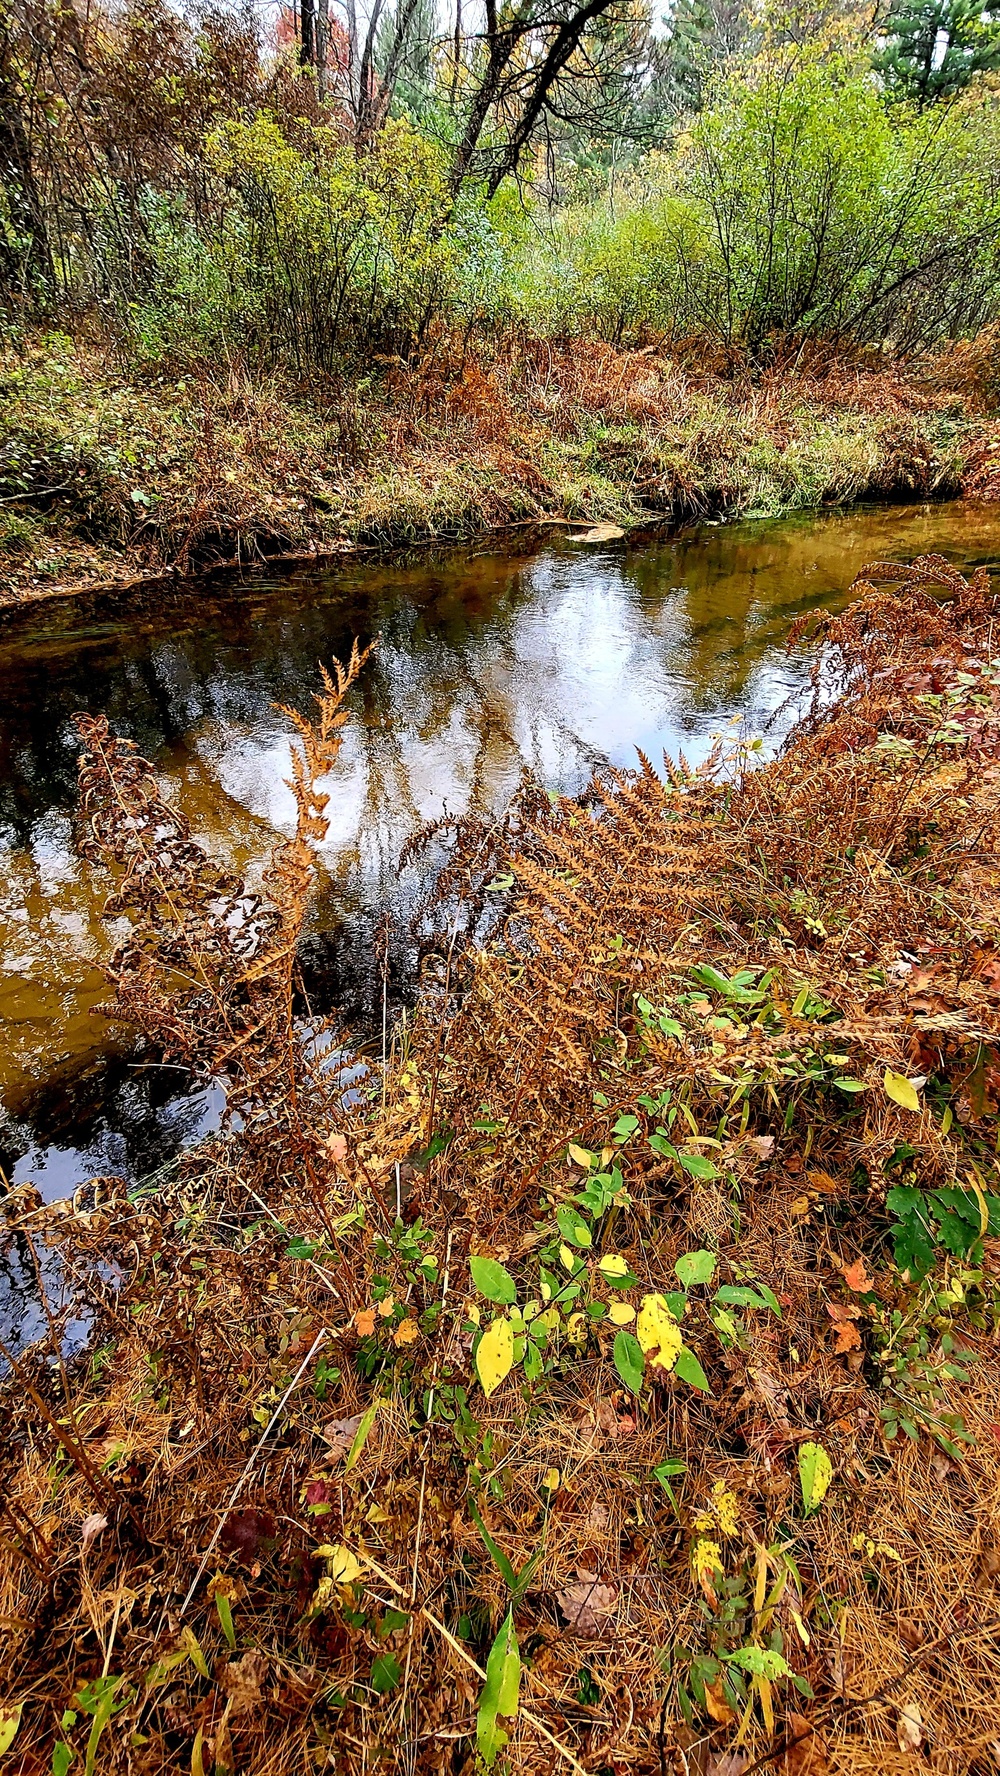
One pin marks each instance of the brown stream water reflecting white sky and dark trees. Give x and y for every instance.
(560, 660)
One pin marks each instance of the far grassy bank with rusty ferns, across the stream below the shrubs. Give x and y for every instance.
(106, 475)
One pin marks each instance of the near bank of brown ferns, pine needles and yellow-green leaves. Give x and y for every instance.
(614, 1384)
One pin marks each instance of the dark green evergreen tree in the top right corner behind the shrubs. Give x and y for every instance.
(935, 47)
